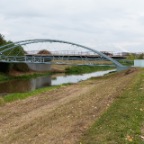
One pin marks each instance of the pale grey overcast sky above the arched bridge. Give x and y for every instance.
(112, 25)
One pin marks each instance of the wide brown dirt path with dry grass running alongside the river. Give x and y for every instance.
(59, 116)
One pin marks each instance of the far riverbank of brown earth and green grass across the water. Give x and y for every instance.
(55, 69)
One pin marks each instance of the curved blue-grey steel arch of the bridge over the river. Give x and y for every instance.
(25, 42)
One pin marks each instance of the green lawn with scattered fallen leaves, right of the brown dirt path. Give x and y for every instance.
(123, 121)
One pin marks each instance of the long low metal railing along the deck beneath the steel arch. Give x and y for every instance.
(49, 59)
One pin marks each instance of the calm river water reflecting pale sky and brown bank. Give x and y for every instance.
(16, 86)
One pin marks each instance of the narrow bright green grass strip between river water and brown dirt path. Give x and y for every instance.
(20, 96)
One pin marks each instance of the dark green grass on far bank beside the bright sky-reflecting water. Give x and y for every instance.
(86, 69)
